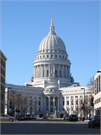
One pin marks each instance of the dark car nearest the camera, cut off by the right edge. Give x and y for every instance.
(95, 121)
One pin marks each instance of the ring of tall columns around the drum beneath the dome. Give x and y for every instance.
(55, 70)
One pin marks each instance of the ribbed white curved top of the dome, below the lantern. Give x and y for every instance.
(52, 42)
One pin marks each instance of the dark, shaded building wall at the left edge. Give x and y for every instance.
(2, 80)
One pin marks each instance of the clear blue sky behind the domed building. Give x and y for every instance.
(25, 23)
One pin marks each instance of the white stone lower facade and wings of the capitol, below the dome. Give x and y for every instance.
(64, 100)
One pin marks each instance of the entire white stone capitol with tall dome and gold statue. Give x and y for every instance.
(51, 90)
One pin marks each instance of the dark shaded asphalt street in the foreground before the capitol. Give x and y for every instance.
(47, 127)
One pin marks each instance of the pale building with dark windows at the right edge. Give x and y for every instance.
(97, 97)
